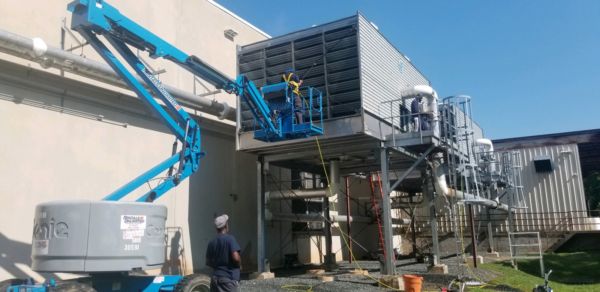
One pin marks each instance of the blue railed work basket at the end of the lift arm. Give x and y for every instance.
(293, 122)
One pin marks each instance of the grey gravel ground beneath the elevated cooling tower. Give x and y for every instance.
(297, 279)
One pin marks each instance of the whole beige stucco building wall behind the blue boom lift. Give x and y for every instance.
(53, 148)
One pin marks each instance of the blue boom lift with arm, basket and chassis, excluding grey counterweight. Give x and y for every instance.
(274, 121)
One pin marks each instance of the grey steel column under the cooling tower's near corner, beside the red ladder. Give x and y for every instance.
(386, 205)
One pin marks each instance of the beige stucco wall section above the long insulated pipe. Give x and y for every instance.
(196, 27)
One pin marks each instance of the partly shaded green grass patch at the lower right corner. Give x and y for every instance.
(571, 272)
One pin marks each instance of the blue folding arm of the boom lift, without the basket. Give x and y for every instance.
(92, 18)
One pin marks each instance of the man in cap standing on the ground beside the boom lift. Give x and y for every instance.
(223, 255)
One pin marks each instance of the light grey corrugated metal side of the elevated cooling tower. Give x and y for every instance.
(385, 72)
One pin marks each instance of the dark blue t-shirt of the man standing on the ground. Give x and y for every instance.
(218, 256)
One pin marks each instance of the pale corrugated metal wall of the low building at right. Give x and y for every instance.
(555, 200)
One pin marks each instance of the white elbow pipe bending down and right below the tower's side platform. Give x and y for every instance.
(439, 183)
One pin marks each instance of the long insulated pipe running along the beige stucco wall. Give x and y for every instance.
(36, 50)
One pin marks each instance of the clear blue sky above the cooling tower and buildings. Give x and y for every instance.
(531, 67)
